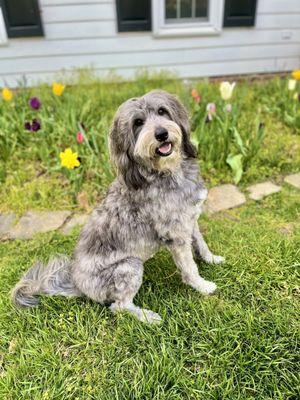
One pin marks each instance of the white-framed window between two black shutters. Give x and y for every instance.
(187, 17)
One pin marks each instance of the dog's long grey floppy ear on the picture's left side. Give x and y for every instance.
(120, 145)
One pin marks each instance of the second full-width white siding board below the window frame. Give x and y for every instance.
(140, 59)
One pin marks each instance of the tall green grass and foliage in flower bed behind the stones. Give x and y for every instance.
(30, 171)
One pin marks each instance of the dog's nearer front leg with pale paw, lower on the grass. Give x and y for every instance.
(183, 258)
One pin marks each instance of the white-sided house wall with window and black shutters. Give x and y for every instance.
(193, 38)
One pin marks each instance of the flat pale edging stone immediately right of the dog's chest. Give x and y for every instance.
(223, 197)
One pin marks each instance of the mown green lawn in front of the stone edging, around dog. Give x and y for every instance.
(242, 343)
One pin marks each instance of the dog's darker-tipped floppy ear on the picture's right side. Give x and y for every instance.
(180, 116)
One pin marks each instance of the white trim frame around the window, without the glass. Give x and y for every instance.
(194, 28)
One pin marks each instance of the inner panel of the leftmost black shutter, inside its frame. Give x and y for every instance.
(20, 13)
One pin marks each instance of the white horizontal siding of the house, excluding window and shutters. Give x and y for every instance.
(81, 34)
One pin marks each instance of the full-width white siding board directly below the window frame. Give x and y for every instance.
(134, 44)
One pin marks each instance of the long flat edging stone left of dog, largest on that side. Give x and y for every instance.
(38, 222)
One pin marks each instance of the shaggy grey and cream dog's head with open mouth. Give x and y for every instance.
(150, 133)
